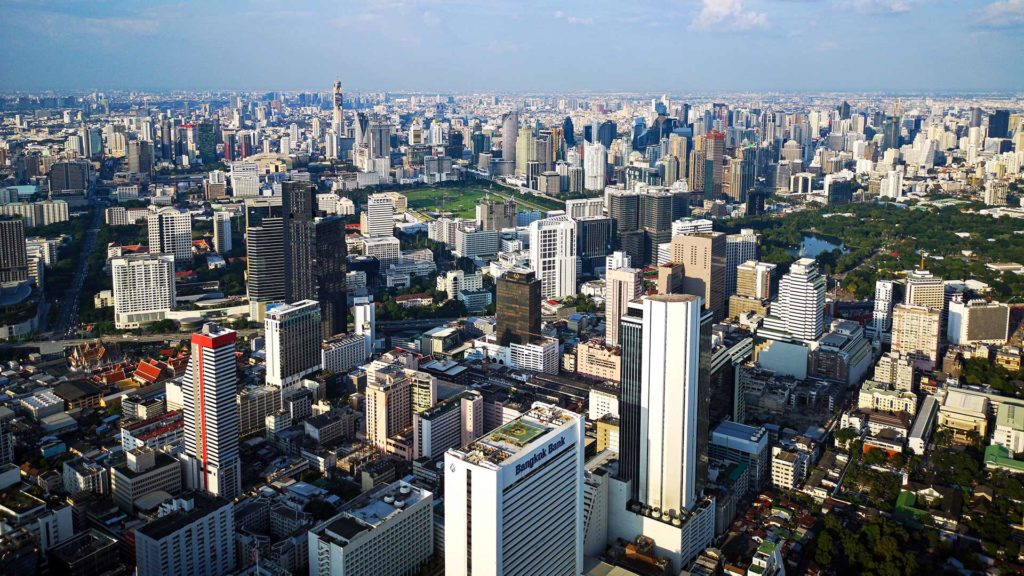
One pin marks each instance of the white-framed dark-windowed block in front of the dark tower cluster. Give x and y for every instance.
(293, 342)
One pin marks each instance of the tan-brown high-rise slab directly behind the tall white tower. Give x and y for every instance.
(703, 257)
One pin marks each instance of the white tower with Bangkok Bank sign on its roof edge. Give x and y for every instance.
(514, 503)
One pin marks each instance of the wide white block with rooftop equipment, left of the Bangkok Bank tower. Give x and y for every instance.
(386, 532)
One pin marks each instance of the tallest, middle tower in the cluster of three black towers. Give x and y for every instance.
(297, 207)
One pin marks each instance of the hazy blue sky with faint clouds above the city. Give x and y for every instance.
(516, 46)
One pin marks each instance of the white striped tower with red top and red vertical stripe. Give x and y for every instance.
(212, 463)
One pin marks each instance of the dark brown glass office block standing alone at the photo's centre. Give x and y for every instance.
(519, 308)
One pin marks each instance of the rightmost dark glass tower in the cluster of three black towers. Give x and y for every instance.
(331, 267)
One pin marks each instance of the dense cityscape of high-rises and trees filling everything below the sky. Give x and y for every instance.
(333, 333)
